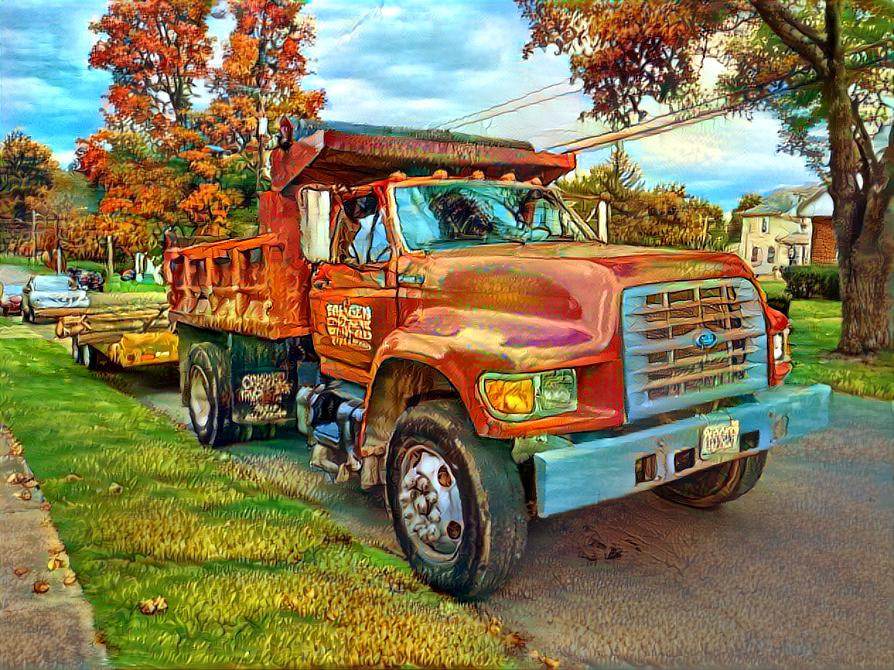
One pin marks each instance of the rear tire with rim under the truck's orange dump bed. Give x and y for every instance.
(210, 395)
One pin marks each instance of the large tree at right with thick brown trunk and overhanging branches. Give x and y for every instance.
(824, 67)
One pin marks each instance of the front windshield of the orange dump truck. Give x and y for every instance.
(467, 213)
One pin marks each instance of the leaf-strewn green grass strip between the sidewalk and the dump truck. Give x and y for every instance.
(251, 578)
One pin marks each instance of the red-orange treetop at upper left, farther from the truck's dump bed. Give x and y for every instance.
(156, 52)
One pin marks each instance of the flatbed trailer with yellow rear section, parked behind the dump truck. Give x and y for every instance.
(127, 335)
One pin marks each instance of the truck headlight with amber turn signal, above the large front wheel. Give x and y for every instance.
(516, 397)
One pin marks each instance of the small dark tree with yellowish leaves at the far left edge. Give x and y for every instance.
(26, 171)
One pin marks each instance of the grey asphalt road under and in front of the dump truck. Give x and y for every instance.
(799, 573)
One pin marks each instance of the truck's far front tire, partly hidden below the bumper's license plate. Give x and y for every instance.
(717, 485)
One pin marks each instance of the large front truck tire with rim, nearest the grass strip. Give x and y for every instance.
(456, 500)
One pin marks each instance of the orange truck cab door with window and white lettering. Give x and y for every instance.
(353, 297)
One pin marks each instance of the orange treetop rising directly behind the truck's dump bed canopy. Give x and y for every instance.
(260, 78)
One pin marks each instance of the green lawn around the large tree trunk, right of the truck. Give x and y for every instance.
(816, 327)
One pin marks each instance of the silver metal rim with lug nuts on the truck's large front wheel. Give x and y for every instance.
(430, 504)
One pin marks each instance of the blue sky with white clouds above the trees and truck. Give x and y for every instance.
(408, 62)
